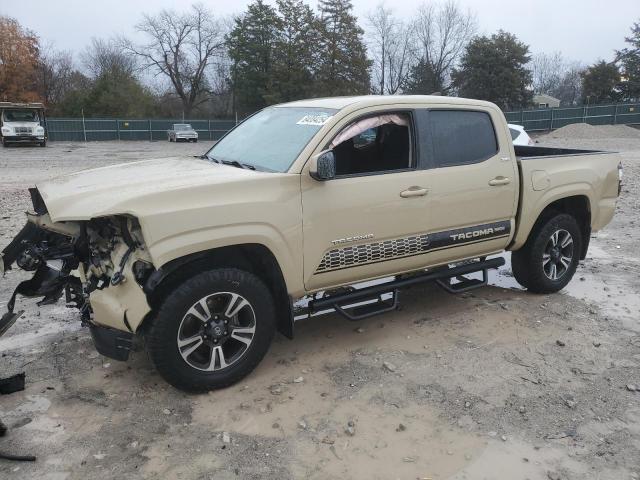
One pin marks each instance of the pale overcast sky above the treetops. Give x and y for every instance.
(582, 30)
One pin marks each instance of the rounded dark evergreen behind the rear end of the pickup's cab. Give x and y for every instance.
(495, 69)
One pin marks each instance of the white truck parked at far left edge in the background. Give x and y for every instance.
(22, 123)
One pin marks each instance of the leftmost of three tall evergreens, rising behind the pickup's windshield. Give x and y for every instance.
(251, 45)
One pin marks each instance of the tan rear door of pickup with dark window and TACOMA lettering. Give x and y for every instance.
(473, 182)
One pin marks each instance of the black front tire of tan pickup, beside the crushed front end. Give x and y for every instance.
(166, 328)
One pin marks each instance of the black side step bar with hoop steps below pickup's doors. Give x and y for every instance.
(443, 277)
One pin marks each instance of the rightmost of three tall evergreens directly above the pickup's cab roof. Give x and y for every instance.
(343, 66)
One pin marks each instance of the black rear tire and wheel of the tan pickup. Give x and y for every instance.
(533, 265)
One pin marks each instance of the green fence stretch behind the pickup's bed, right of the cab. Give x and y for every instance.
(552, 118)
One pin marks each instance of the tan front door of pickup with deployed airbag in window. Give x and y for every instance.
(365, 224)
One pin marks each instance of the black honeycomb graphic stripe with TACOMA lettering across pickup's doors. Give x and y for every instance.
(375, 252)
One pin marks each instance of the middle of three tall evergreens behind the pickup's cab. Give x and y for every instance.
(294, 51)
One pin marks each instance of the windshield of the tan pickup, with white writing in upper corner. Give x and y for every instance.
(272, 138)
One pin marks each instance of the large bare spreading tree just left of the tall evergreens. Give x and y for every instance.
(181, 47)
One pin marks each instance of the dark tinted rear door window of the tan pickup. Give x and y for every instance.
(461, 137)
